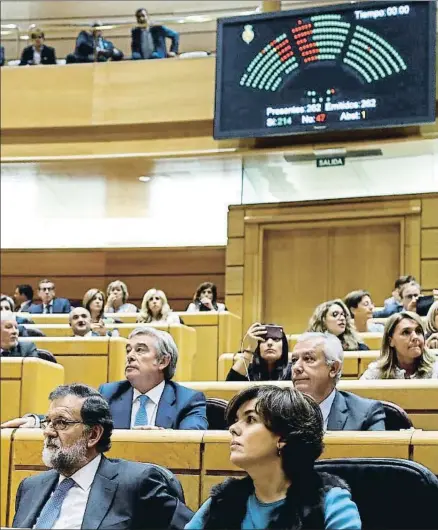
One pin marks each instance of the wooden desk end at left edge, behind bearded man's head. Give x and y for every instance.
(25, 385)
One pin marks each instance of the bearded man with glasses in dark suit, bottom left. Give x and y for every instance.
(83, 488)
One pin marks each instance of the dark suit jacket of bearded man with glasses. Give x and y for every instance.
(124, 495)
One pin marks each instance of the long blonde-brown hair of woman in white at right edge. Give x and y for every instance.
(387, 362)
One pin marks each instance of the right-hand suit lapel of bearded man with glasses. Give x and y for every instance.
(101, 495)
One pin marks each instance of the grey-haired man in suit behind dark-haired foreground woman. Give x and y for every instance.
(317, 360)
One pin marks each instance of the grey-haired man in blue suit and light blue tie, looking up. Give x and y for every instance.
(148, 399)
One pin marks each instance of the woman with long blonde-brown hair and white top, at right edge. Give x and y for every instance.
(403, 354)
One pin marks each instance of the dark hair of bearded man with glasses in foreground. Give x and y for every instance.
(94, 411)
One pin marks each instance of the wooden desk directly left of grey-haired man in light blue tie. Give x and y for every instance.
(84, 360)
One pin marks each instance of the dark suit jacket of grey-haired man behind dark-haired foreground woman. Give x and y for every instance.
(353, 413)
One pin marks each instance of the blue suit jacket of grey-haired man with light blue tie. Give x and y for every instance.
(179, 407)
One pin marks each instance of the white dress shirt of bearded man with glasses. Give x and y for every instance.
(73, 508)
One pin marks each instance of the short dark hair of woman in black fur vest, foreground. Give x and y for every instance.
(293, 416)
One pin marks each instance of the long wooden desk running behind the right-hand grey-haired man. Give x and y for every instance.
(418, 397)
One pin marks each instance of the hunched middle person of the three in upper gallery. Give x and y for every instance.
(92, 47)
